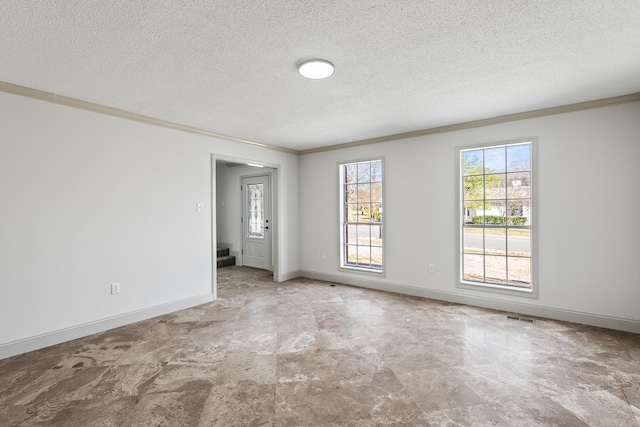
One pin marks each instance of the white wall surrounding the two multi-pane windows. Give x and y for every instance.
(588, 162)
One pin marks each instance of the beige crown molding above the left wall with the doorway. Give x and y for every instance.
(97, 108)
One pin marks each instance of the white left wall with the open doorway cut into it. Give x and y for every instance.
(88, 199)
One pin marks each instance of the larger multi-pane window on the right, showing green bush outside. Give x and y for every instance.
(496, 193)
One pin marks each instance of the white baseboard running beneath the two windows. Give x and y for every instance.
(513, 307)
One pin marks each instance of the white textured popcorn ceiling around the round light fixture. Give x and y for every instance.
(230, 66)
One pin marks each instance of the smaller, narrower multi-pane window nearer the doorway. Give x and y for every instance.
(361, 207)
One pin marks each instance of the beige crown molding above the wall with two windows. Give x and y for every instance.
(634, 97)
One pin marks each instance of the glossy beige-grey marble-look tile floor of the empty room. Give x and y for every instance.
(311, 353)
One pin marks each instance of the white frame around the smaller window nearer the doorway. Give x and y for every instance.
(344, 221)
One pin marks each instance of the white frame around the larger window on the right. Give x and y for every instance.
(532, 291)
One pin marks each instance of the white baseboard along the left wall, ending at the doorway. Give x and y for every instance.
(45, 340)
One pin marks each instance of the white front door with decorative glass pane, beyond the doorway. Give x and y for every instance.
(256, 222)
